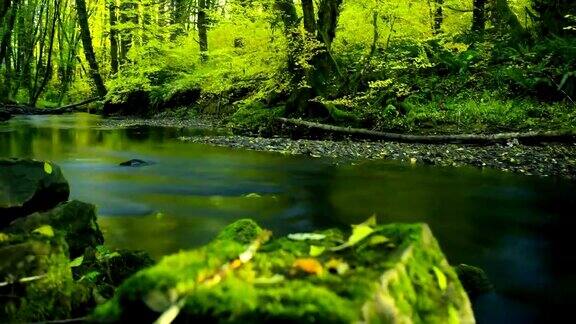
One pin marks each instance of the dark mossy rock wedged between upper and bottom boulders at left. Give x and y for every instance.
(75, 219)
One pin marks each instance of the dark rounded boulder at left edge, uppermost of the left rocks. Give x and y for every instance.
(28, 186)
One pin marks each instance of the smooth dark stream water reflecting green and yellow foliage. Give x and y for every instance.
(518, 229)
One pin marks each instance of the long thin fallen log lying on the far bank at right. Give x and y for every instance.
(534, 136)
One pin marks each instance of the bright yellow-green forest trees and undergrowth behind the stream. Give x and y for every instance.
(356, 61)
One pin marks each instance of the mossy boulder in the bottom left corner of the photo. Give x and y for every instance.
(35, 278)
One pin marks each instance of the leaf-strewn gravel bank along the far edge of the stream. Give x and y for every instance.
(545, 159)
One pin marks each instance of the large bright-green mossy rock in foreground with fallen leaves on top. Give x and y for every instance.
(395, 274)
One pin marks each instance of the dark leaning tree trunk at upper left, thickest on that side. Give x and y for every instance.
(88, 49)
